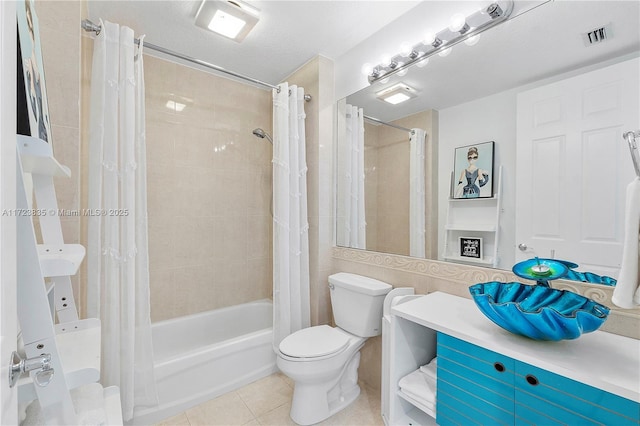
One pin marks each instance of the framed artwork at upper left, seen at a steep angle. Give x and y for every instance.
(33, 93)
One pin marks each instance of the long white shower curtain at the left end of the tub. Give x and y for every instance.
(117, 258)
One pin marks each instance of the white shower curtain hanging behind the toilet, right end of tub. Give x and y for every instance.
(290, 223)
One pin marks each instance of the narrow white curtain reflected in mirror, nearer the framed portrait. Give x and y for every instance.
(417, 193)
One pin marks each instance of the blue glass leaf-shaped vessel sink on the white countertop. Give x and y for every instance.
(538, 312)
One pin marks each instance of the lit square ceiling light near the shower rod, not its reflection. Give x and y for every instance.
(231, 19)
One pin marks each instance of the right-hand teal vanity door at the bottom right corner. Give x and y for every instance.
(569, 401)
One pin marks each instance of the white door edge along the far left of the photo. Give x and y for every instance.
(8, 313)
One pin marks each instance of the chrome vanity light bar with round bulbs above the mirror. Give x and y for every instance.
(461, 29)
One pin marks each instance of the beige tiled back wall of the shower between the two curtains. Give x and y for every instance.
(209, 190)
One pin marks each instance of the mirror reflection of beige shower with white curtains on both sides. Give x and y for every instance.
(385, 193)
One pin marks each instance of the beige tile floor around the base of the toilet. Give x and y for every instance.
(267, 402)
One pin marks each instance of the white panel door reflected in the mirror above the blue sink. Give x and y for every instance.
(572, 166)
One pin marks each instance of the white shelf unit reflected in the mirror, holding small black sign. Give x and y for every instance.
(477, 218)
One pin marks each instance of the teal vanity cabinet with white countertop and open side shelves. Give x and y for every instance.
(488, 376)
